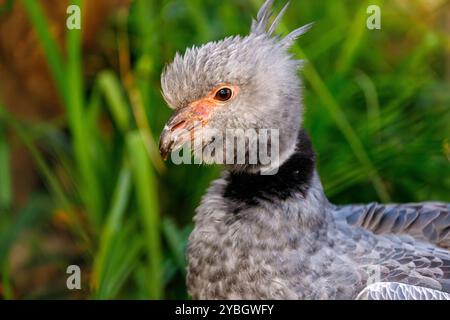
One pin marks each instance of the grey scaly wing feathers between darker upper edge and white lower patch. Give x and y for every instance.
(390, 257)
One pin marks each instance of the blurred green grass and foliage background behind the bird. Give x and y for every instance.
(377, 107)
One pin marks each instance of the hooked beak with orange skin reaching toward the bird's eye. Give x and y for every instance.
(182, 125)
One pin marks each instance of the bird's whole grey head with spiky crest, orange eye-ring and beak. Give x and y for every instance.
(247, 83)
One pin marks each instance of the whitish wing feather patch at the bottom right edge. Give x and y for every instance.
(400, 291)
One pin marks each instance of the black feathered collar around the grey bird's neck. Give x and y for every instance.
(295, 187)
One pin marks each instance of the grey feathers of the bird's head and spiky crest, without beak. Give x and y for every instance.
(259, 64)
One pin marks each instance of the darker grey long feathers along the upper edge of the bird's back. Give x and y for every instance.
(428, 221)
